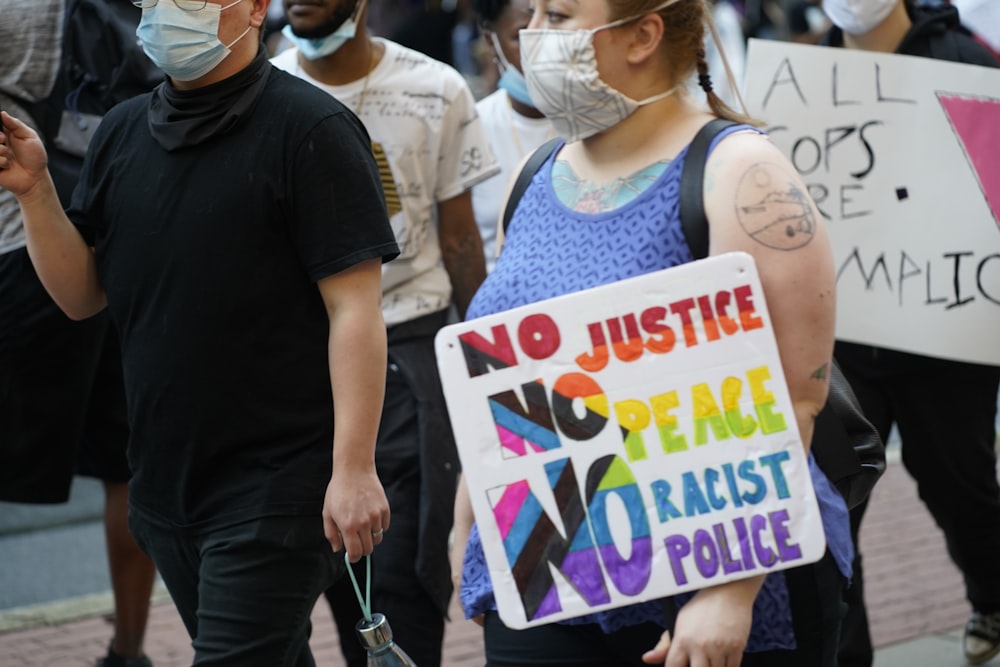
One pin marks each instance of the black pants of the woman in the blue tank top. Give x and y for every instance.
(816, 597)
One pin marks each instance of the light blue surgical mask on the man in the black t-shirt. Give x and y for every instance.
(184, 44)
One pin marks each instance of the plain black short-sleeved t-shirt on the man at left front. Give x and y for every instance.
(209, 257)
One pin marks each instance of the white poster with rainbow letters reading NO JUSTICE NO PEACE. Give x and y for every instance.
(629, 442)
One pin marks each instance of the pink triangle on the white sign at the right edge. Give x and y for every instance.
(976, 121)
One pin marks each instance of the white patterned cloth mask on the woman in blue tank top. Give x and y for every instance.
(560, 67)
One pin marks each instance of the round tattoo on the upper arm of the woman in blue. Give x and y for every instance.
(772, 209)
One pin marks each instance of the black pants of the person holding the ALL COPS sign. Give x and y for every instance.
(946, 413)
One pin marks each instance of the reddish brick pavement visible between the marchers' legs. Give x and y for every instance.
(913, 590)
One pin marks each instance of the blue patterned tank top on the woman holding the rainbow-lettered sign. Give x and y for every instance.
(551, 250)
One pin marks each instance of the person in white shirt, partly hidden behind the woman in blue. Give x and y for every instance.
(514, 126)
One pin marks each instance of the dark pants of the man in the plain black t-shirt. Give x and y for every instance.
(245, 593)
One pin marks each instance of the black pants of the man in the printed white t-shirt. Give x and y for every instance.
(416, 621)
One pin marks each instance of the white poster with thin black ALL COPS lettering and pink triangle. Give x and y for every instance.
(902, 156)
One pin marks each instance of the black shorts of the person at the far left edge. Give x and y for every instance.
(62, 399)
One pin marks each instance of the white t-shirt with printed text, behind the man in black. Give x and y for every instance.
(431, 147)
